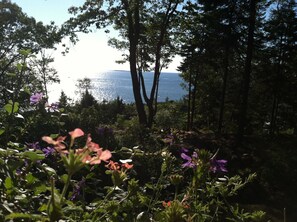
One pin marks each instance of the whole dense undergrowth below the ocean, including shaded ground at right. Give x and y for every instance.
(92, 161)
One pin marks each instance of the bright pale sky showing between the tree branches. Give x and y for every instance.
(91, 55)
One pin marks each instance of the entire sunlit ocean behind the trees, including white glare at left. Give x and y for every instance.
(117, 83)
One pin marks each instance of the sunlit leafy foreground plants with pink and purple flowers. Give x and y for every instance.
(64, 175)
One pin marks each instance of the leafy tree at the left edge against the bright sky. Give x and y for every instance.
(20, 34)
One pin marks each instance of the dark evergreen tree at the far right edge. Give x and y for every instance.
(281, 32)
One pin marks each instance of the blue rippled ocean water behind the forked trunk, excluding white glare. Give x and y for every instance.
(109, 85)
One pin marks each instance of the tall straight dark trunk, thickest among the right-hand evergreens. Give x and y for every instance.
(247, 72)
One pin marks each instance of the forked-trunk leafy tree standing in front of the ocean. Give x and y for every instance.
(145, 31)
